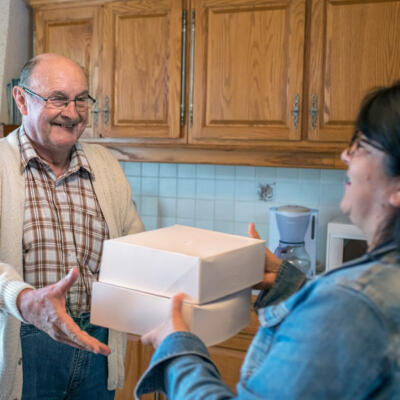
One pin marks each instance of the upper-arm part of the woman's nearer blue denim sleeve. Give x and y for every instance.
(332, 345)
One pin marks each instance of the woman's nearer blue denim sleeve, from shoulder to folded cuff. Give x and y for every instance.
(331, 345)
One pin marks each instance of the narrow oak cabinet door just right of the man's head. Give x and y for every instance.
(141, 69)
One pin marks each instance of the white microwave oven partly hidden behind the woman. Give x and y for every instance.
(344, 242)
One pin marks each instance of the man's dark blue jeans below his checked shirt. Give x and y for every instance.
(56, 371)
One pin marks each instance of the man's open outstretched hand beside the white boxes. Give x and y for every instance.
(45, 309)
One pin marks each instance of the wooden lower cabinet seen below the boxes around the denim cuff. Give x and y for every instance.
(227, 356)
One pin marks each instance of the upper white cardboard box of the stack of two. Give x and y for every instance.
(204, 264)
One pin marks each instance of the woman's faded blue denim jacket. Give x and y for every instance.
(336, 338)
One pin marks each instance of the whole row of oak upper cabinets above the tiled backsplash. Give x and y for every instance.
(258, 82)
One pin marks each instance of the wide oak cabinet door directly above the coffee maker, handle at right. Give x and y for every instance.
(248, 71)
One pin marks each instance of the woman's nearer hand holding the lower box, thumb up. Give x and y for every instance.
(174, 323)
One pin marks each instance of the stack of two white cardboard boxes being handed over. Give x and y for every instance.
(140, 273)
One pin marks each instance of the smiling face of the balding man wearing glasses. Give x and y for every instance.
(52, 129)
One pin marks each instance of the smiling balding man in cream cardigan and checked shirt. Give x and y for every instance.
(59, 200)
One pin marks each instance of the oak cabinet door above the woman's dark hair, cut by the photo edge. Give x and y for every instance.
(354, 47)
